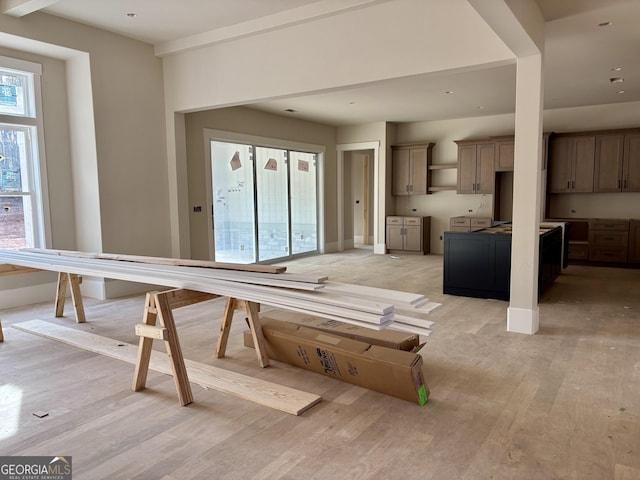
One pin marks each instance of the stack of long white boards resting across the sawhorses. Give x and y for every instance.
(369, 307)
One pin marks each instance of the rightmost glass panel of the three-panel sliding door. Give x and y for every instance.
(304, 211)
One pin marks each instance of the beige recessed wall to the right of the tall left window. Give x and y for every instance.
(105, 134)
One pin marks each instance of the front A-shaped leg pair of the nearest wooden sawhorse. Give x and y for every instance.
(157, 305)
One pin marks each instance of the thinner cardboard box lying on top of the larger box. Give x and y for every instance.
(385, 338)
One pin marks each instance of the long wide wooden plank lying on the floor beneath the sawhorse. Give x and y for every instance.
(265, 393)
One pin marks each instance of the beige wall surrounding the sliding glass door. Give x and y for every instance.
(251, 122)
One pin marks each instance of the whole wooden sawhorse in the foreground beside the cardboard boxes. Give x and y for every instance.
(159, 305)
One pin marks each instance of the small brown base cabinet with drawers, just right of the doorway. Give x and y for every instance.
(408, 234)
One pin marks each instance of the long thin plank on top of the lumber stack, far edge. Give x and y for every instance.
(273, 269)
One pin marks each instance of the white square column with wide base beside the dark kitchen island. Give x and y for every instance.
(523, 313)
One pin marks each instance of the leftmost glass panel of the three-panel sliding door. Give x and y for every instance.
(233, 202)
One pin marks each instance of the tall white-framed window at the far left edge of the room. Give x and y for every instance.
(21, 185)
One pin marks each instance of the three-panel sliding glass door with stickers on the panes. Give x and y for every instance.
(264, 202)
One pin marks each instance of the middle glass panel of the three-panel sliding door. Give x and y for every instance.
(273, 198)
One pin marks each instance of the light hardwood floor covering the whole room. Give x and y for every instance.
(561, 404)
